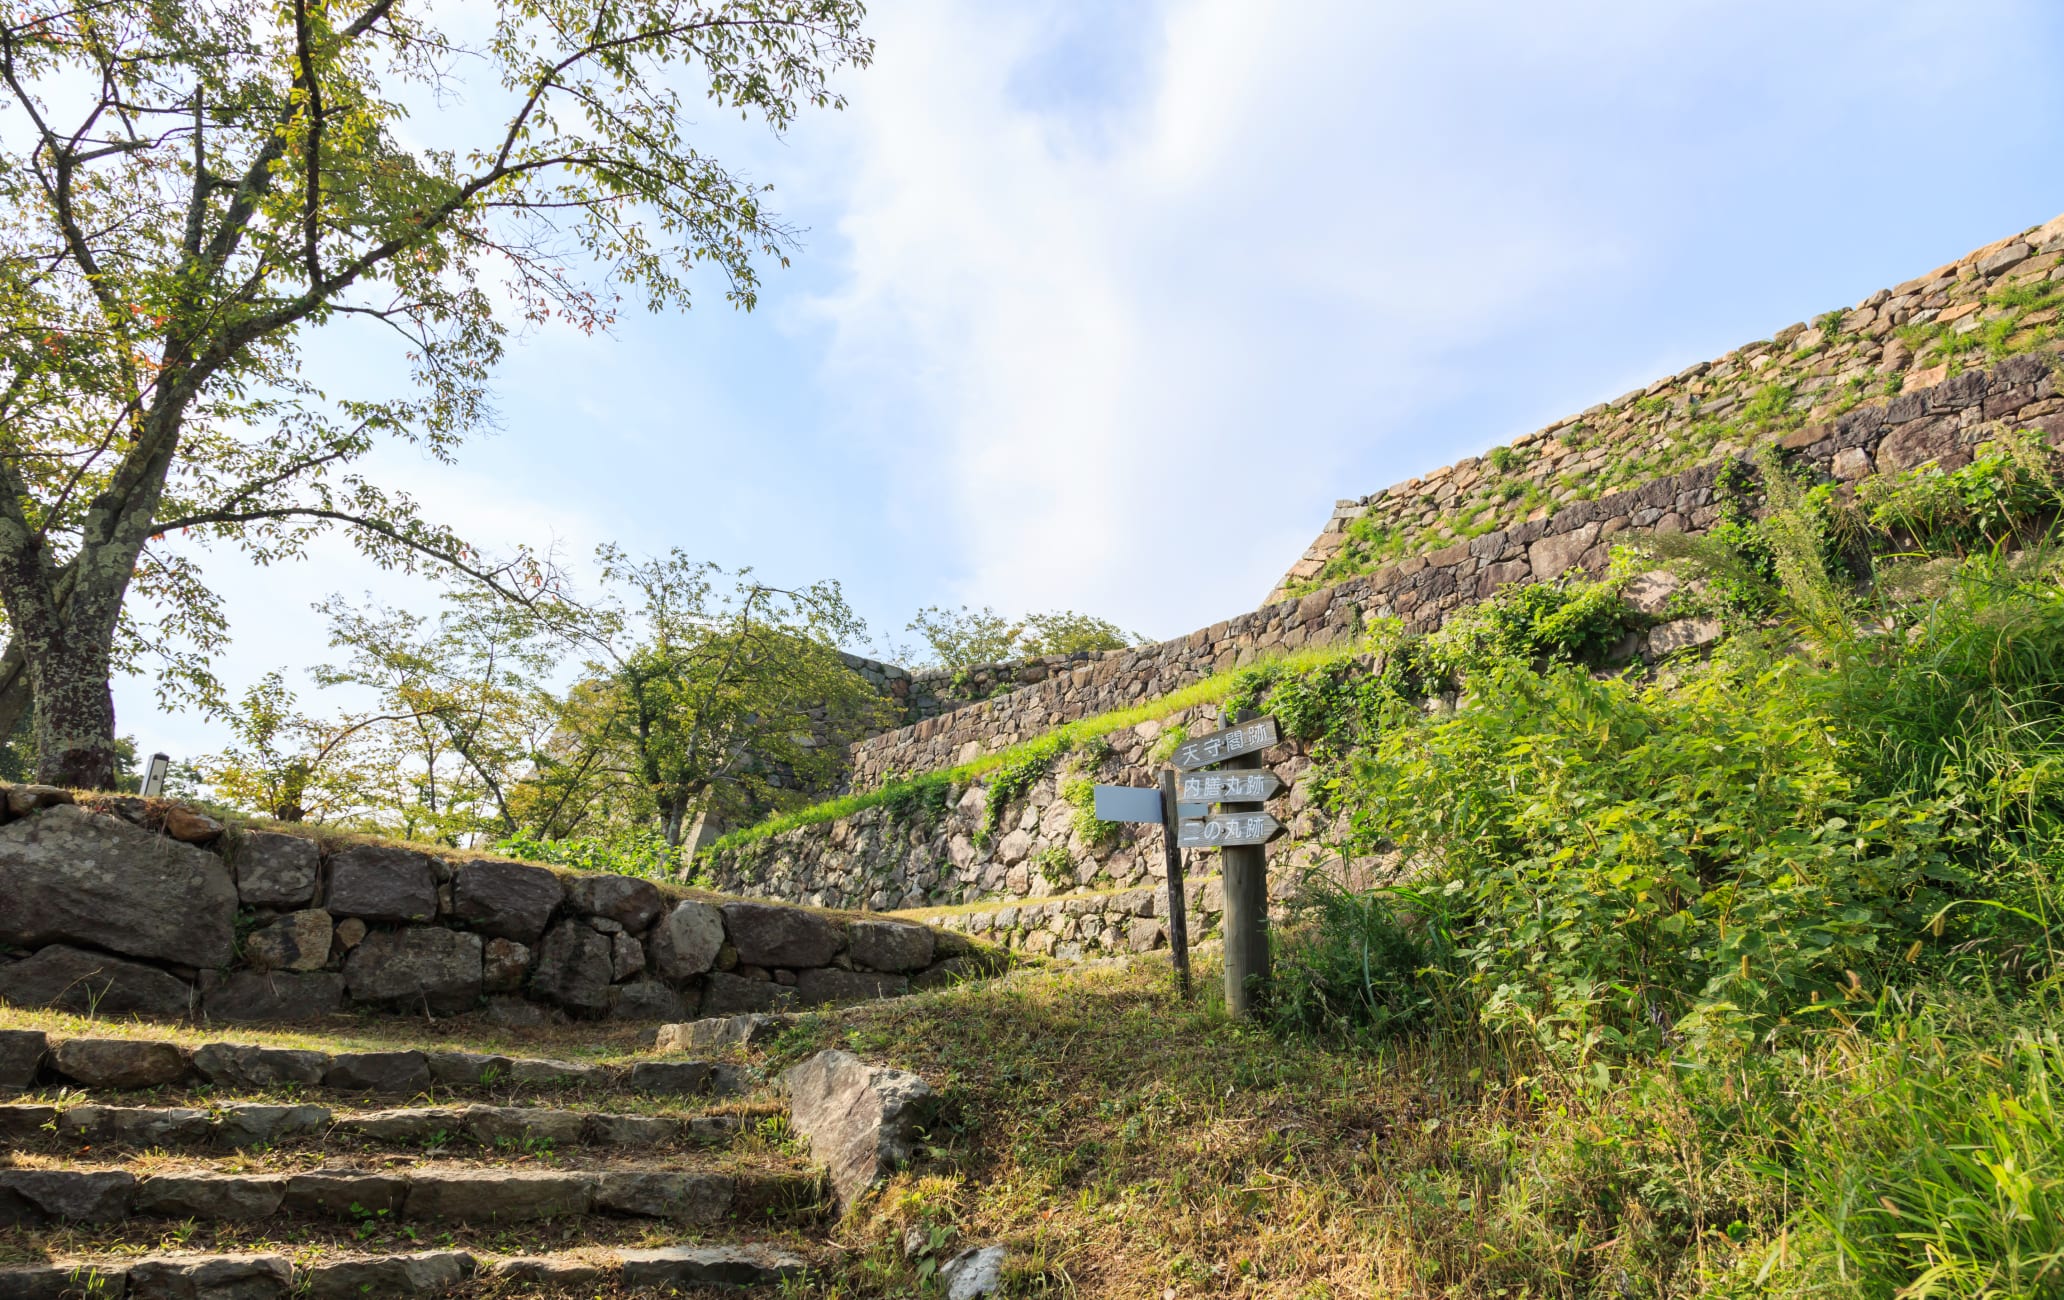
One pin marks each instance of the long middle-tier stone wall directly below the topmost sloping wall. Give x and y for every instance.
(1941, 422)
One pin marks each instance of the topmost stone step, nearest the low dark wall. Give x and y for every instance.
(28, 1060)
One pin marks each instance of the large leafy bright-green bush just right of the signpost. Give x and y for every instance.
(1638, 853)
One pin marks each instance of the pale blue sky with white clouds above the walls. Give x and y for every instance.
(1076, 271)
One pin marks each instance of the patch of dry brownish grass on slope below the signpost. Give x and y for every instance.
(1126, 1144)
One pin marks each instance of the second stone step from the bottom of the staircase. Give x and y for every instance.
(422, 1194)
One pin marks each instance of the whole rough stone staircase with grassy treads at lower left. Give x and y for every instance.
(143, 1169)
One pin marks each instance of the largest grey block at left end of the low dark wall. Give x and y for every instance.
(79, 878)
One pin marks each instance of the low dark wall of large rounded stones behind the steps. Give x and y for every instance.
(127, 907)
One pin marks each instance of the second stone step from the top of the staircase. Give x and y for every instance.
(34, 1126)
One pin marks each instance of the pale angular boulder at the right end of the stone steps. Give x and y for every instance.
(862, 1119)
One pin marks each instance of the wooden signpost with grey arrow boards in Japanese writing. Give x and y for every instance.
(1239, 831)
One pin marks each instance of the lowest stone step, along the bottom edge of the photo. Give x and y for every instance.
(424, 1274)
